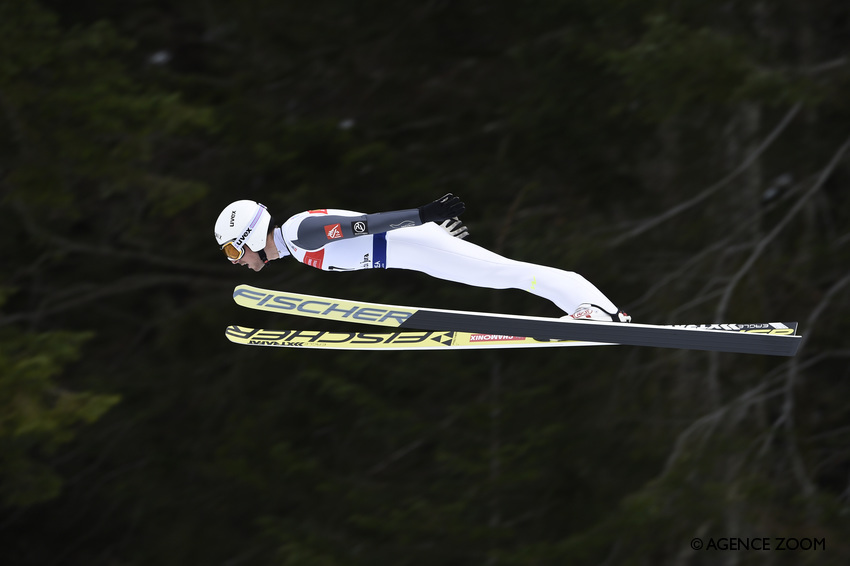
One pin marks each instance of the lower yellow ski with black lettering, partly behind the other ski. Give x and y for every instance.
(407, 340)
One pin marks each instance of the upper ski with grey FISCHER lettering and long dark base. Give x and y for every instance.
(775, 338)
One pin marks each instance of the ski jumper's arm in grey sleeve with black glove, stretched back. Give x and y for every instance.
(317, 231)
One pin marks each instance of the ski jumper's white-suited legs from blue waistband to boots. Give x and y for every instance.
(429, 249)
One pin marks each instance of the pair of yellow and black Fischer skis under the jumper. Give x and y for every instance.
(437, 329)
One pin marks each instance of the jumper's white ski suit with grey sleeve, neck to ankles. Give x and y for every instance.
(343, 240)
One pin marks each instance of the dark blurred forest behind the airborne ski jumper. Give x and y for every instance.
(688, 157)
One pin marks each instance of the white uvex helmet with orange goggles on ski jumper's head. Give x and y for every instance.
(242, 223)
